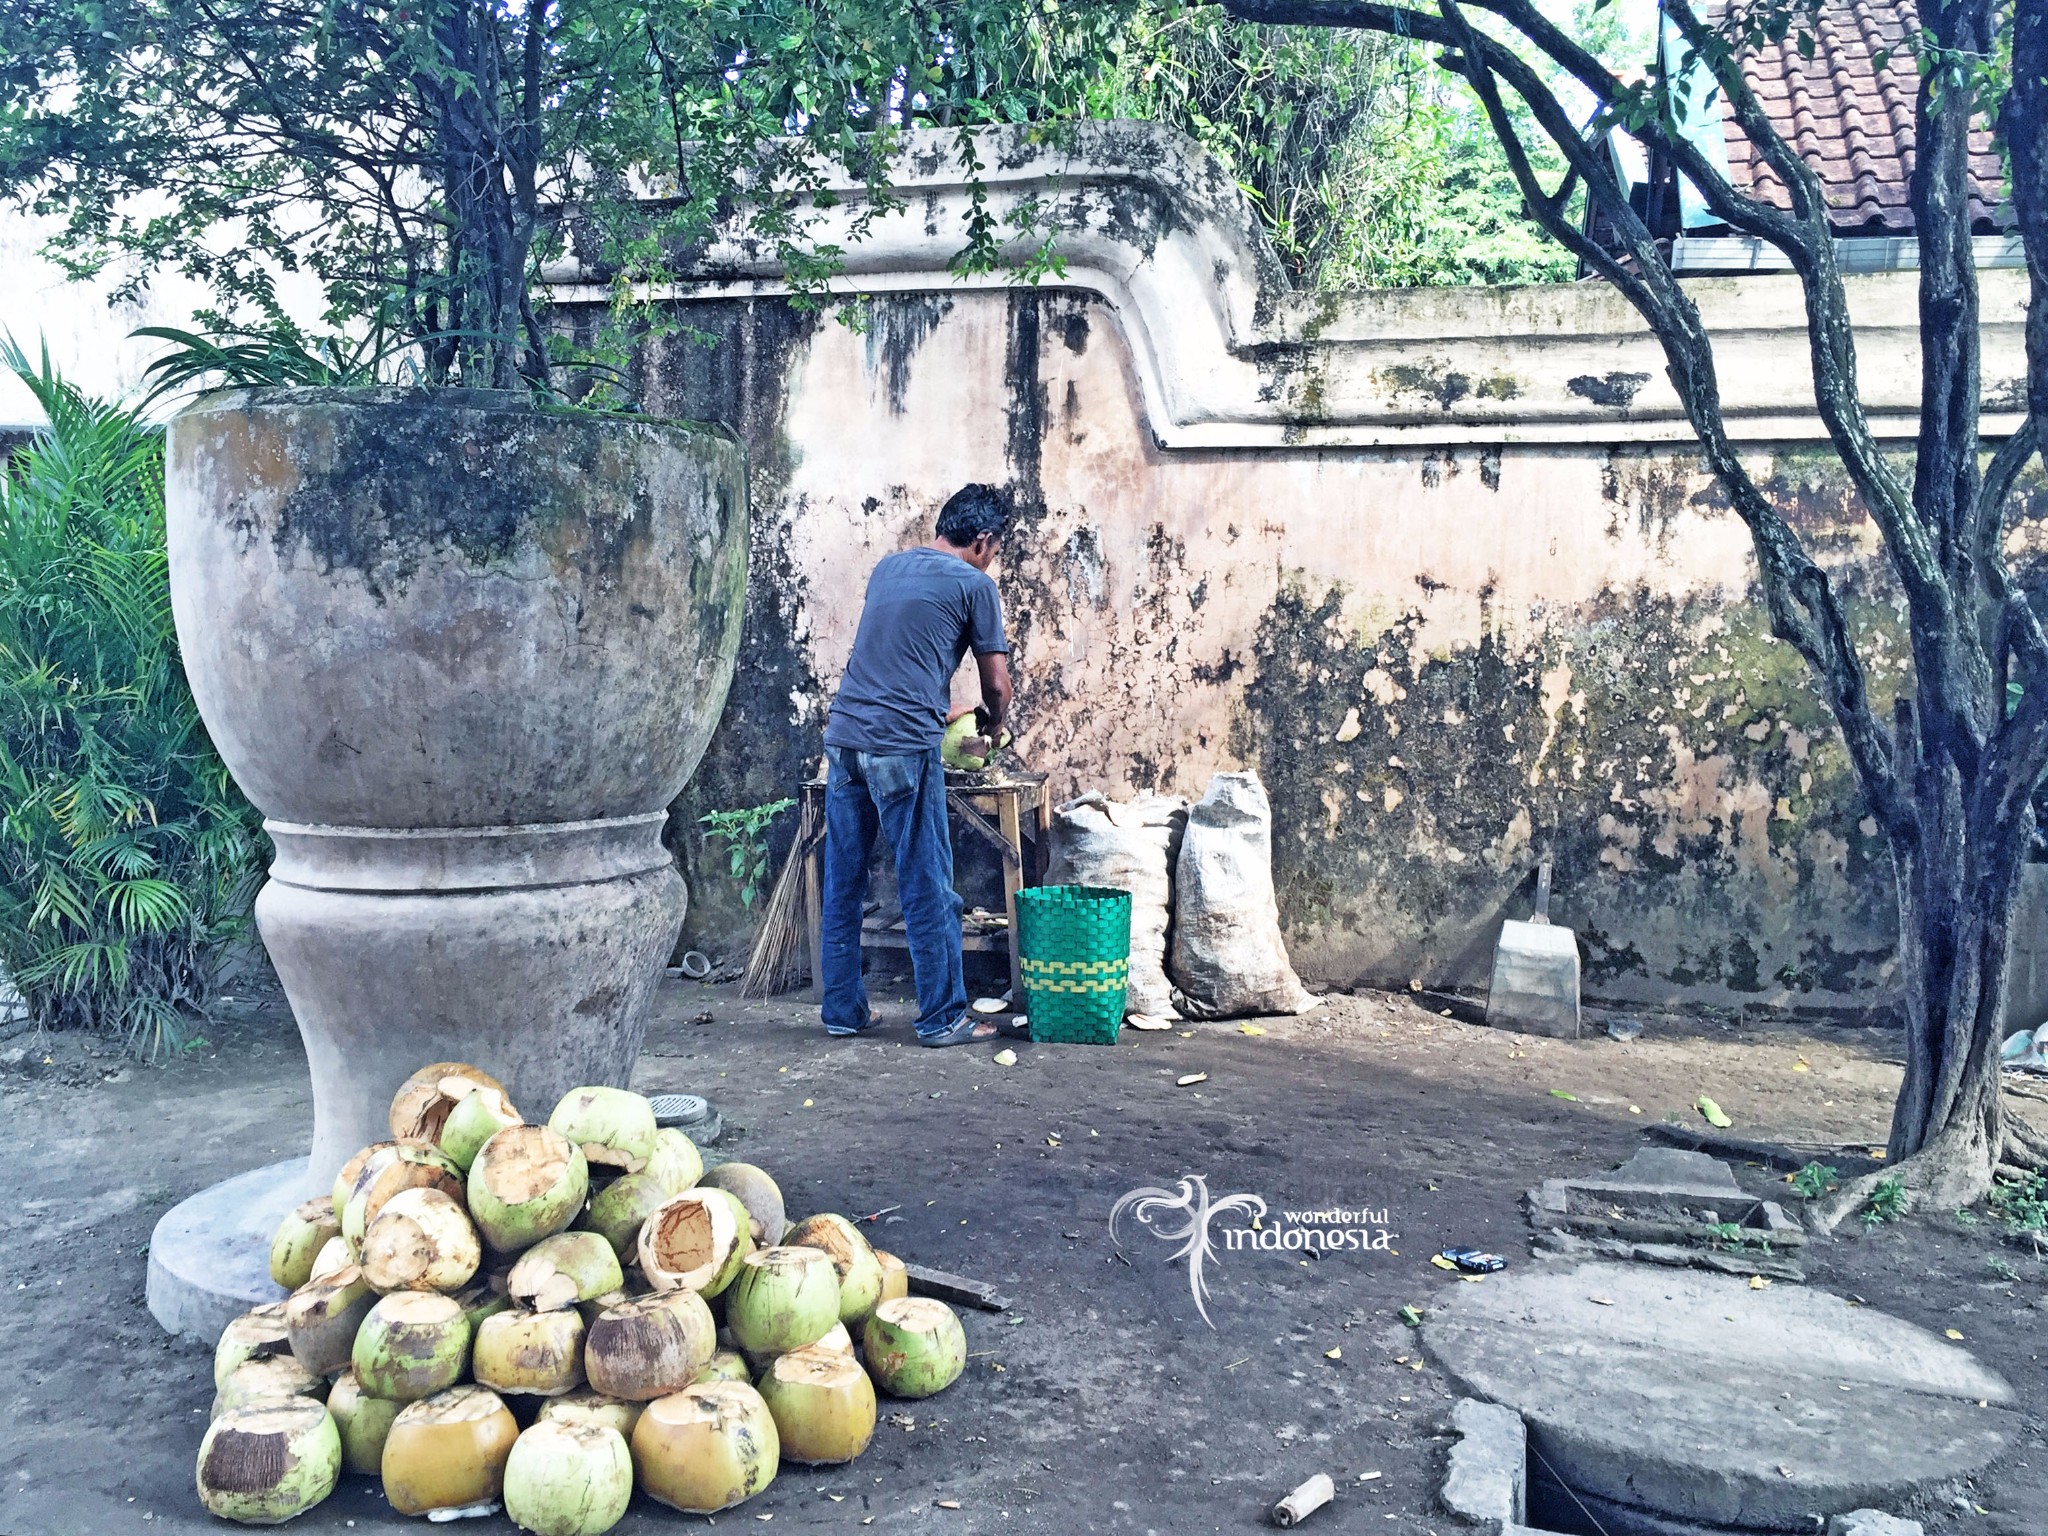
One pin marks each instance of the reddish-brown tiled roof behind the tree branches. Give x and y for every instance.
(1852, 122)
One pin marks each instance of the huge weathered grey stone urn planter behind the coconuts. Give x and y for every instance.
(462, 652)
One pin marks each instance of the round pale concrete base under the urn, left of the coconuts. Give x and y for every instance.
(210, 1256)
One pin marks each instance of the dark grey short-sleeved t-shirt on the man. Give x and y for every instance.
(925, 611)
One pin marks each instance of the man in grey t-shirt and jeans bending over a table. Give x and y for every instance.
(927, 609)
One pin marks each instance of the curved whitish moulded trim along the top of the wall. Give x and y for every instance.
(1230, 357)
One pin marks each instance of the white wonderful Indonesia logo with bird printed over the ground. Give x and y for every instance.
(1207, 1226)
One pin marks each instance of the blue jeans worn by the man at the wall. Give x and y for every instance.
(904, 800)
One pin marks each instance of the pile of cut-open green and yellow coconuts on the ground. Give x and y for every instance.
(542, 1316)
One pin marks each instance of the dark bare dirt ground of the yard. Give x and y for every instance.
(1101, 1402)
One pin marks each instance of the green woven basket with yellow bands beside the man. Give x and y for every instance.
(1074, 951)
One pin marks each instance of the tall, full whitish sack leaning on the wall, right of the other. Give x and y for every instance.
(1228, 951)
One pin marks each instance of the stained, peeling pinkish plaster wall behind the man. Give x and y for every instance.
(1443, 654)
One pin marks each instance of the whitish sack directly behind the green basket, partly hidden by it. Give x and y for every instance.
(1127, 847)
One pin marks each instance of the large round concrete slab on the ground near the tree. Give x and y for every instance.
(1699, 1400)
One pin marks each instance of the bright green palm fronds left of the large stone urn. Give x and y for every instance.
(128, 859)
